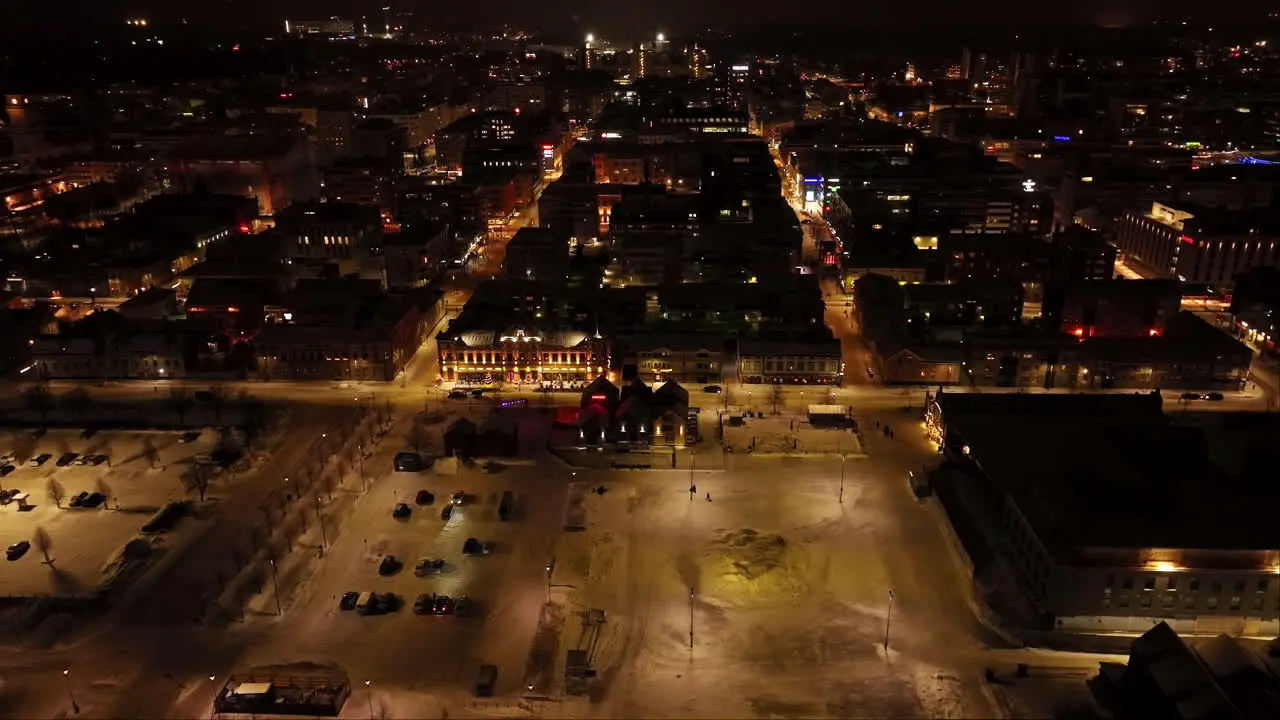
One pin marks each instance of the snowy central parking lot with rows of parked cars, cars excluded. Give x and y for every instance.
(435, 654)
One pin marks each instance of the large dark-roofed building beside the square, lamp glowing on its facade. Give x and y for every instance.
(1094, 508)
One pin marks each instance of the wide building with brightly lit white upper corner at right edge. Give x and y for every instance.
(1199, 245)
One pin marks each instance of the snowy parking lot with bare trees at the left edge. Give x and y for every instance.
(131, 485)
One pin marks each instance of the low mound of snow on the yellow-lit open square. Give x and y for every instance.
(744, 567)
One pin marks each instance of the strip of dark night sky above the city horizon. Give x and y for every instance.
(641, 16)
